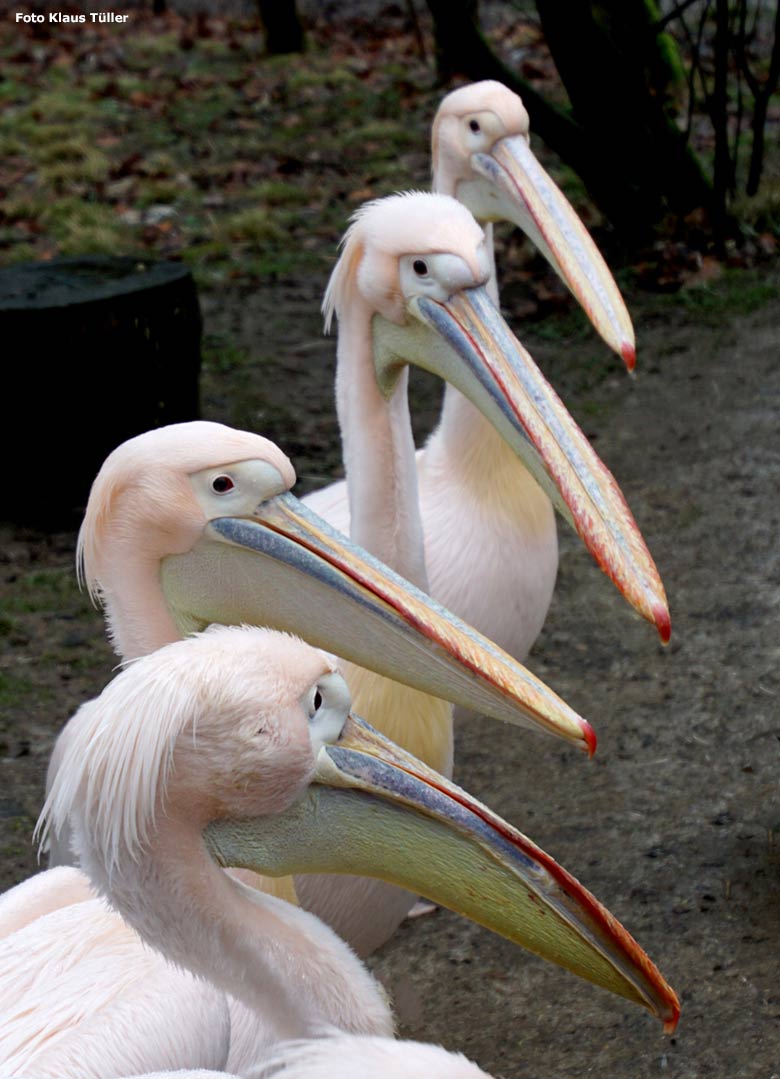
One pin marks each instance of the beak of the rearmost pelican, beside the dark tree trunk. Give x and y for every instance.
(530, 199)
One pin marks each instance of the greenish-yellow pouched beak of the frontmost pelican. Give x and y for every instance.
(376, 811)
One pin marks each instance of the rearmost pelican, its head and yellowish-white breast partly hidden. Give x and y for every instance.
(482, 156)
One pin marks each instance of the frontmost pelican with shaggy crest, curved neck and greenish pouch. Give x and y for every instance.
(239, 747)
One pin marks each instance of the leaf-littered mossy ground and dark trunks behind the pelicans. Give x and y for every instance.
(196, 135)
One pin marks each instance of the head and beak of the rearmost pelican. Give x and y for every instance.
(482, 155)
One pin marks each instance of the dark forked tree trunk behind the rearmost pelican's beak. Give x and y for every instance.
(620, 138)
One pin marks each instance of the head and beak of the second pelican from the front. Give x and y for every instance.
(194, 524)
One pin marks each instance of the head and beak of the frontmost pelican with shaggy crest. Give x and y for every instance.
(247, 737)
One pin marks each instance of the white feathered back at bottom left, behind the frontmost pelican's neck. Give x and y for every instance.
(83, 996)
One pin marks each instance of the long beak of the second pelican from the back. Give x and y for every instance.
(474, 349)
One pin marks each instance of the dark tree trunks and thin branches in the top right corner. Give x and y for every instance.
(669, 105)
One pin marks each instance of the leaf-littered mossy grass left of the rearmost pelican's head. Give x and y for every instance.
(256, 156)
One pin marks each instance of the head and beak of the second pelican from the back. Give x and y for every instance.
(414, 274)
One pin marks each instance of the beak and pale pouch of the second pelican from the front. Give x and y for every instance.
(286, 568)
